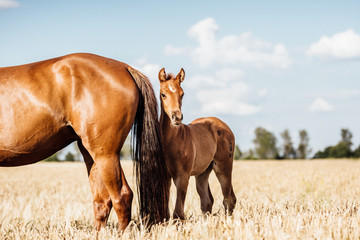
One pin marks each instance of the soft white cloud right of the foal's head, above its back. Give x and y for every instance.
(227, 100)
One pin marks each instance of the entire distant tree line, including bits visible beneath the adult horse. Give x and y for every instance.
(265, 147)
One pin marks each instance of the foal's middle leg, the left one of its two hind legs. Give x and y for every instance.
(203, 189)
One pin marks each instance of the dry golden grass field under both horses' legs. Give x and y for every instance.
(276, 200)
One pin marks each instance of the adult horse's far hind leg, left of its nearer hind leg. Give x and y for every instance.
(101, 198)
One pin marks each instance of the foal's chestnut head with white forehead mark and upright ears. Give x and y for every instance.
(171, 95)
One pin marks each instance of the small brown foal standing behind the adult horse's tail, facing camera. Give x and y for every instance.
(194, 149)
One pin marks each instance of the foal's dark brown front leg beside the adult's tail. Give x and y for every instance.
(181, 184)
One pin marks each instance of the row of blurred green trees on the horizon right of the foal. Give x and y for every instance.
(266, 147)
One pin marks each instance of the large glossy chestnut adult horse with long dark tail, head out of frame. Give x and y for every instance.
(95, 101)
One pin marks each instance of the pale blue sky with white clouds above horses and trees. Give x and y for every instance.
(275, 64)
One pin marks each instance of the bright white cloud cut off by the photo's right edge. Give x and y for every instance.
(344, 45)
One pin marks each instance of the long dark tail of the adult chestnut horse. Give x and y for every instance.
(151, 175)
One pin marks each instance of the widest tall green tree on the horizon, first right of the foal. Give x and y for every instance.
(265, 144)
